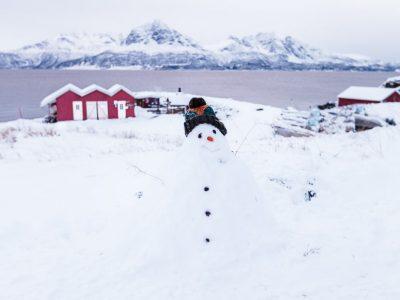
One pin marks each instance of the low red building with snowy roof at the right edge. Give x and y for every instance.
(367, 95)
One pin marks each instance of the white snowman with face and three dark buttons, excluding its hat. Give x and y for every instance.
(214, 205)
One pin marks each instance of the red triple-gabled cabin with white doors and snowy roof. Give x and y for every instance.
(92, 102)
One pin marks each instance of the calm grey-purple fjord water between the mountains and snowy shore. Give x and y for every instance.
(22, 90)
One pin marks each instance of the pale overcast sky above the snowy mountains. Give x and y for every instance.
(369, 27)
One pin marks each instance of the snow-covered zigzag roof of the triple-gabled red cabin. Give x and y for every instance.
(52, 98)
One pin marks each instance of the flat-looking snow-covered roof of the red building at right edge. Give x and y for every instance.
(377, 94)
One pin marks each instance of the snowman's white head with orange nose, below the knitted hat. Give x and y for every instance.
(208, 137)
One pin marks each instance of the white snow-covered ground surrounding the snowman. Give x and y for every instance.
(82, 211)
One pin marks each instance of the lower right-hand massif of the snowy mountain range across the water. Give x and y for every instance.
(272, 52)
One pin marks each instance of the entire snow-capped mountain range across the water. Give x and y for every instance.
(157, 46)
